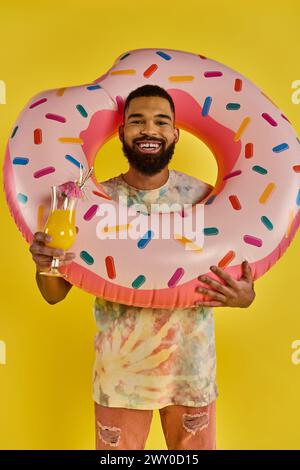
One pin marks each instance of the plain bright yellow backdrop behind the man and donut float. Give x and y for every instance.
(45, 386)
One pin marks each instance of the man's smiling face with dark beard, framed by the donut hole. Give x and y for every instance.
(148, 134)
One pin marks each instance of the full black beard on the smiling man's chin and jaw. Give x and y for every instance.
(148, 164)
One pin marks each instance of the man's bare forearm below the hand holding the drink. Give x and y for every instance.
(53, 289)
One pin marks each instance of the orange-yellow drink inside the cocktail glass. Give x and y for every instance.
(61, 227)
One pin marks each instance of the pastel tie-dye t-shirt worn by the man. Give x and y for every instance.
(150, 358)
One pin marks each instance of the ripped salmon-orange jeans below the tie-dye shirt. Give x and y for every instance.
(184, 427)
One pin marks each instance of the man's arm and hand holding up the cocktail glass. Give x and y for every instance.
(53, 289)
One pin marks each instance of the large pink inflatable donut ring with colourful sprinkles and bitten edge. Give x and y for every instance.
(252, 213)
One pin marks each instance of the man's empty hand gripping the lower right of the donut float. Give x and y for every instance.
(233, 293)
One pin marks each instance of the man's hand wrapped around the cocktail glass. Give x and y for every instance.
(42, 255)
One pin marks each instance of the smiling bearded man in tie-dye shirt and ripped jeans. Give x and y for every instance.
(148, 358)
